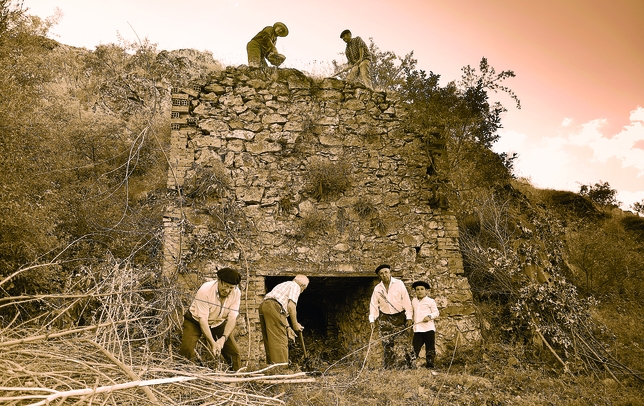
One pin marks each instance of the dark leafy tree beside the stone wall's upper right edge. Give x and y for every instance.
(458, 126)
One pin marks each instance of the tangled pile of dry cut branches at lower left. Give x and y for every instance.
(117, 356)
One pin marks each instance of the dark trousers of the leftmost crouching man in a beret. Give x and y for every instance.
(192, 333)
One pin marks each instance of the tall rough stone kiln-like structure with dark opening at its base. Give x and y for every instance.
(276, 173)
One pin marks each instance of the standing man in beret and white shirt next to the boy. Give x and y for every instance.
(391, 308)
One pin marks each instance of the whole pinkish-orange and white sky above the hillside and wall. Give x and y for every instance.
(579, 64)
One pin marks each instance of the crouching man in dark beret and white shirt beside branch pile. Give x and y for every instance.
(213, 314)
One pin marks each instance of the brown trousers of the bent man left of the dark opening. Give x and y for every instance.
(274, 331)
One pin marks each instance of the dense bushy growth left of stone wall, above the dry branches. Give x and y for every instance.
(82, 149)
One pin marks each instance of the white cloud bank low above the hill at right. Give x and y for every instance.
(582, 154)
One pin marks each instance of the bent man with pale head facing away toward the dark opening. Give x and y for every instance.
(275, 313)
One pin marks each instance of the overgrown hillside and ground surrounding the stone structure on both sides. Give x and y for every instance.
(557, 276)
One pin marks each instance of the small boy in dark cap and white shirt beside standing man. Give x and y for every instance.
(425, 311)
